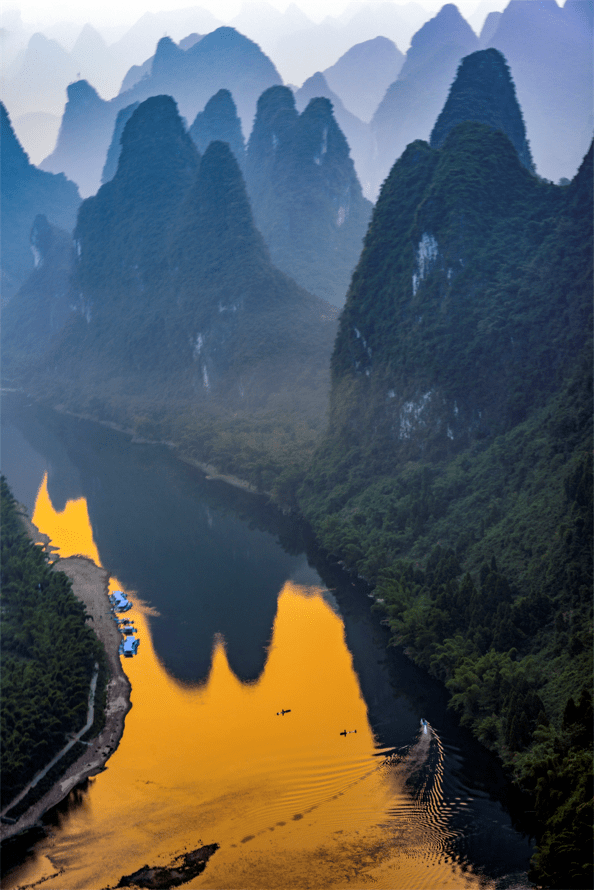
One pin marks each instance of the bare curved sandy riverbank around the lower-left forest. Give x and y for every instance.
(90, 584)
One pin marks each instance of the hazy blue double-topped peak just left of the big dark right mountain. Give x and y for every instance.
(306, 197)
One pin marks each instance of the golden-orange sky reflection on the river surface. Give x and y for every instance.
(291, 802)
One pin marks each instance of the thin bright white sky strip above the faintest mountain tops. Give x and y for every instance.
(116, 12)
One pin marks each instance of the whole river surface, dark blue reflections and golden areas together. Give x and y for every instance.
(238, 622)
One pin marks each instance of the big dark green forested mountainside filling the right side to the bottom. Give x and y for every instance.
(456, 475)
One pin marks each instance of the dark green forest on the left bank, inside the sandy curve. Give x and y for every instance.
(48, 656)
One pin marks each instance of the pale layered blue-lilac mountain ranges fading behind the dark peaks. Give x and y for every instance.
(382, 100)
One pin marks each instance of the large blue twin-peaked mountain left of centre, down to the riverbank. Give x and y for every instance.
(179, 327)
